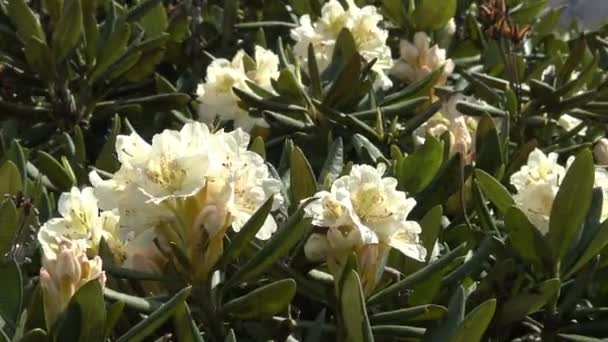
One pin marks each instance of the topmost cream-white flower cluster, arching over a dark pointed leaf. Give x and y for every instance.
(364, 25)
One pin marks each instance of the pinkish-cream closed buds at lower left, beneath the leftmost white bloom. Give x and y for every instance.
(63, 273)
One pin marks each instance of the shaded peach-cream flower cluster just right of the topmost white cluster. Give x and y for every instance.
(419, 59)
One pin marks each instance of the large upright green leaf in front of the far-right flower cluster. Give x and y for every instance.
(571, 204)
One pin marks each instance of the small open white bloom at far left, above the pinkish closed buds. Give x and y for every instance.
(80, 221)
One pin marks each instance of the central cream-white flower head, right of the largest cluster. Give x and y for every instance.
(365, 208)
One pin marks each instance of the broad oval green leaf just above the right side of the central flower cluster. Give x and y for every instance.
(418, 170)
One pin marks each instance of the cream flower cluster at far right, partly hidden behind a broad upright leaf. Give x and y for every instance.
(537, 184)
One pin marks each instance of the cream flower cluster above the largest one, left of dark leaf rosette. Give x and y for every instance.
(216, 96)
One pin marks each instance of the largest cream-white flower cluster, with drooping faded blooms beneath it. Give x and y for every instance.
(187, 187)
